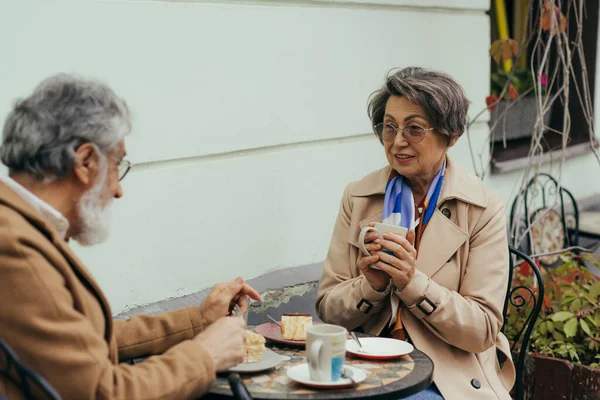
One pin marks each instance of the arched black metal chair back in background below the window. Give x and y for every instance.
(557, 216)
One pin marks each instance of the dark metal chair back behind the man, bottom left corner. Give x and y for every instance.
(30, 383)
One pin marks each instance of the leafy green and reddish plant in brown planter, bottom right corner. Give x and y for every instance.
(565, 343)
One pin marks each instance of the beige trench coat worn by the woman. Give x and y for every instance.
(462, 267)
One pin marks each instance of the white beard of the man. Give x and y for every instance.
(94, 218)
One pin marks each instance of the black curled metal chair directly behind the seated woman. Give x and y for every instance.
(522, 297)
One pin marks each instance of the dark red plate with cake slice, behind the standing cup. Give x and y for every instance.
(291, 331)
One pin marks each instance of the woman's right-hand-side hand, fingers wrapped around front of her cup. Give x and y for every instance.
(400, 266)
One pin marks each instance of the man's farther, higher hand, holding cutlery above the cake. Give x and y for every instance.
(223, 297)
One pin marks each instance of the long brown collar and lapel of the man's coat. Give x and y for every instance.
(11, 199)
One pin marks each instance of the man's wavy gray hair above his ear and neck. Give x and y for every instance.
(42, 132)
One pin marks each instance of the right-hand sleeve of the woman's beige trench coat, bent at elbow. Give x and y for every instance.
(471, 318)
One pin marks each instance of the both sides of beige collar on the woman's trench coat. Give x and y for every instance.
(458, 184)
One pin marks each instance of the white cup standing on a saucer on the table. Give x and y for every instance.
(326, 352)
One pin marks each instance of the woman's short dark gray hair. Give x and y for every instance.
(443, 99)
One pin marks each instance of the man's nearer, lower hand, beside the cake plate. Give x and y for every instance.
(224, 341)
